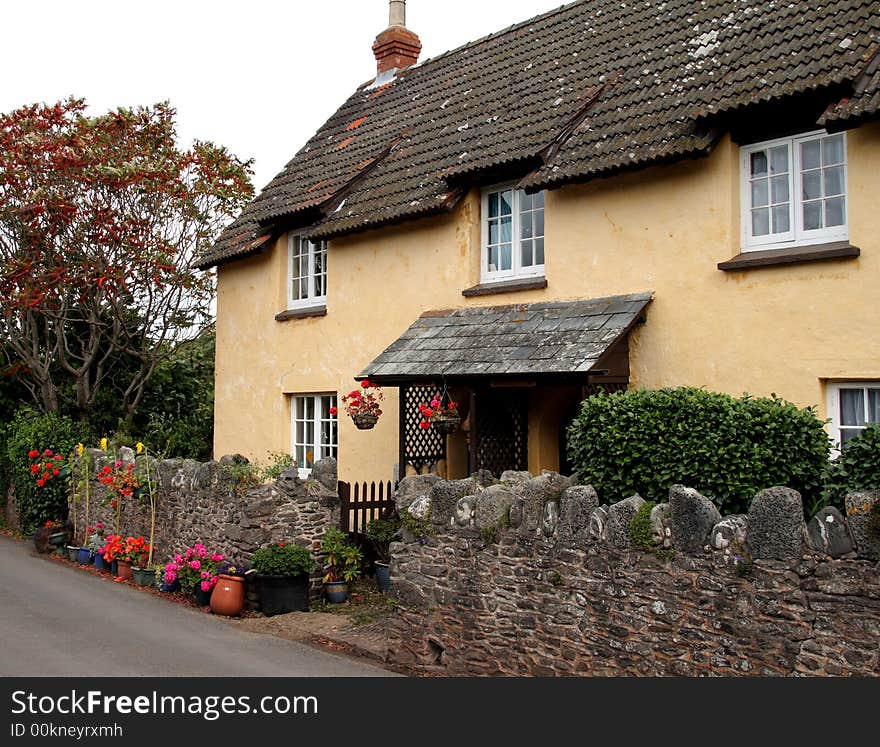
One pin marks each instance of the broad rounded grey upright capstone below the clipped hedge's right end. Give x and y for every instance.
(776, 524)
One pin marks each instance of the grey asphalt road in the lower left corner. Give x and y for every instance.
(60, 621)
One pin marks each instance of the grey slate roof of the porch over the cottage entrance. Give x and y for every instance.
(528, 339)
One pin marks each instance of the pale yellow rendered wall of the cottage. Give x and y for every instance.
(781, 329)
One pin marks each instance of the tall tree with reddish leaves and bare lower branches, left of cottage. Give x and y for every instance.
(100, 220)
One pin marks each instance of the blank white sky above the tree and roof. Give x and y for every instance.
(258, 76)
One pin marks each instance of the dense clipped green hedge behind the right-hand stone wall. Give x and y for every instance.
(645, 441)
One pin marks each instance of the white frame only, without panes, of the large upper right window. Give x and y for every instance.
(797, 235)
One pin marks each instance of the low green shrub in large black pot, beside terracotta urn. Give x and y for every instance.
(282, 573)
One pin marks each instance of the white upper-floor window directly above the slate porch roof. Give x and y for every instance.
(513, 234)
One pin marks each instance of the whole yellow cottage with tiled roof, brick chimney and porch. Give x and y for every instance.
(607, 195)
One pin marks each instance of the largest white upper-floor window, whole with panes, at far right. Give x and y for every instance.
(794, 191)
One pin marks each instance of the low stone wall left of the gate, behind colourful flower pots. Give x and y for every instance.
(200, 502)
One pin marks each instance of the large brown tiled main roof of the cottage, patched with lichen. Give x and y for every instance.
(591, 88)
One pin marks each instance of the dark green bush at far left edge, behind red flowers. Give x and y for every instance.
(31, 430)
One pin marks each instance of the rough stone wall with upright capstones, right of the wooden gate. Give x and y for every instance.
(531, 576)
